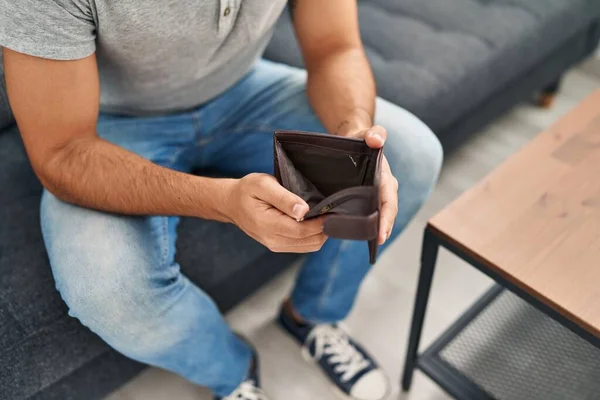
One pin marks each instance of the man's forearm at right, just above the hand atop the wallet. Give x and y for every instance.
(342, 90)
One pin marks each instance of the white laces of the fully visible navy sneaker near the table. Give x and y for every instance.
(334, 343)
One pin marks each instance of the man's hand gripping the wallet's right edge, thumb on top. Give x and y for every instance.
(375, 138)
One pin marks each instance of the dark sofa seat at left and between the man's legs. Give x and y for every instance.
(39, 342)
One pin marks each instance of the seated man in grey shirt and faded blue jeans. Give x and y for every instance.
(118, 101)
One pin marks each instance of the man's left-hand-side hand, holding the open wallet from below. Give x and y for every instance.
(269, 213)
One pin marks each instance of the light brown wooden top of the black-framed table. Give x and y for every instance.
(536, 218)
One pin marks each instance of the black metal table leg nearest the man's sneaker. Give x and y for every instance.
(428, 259)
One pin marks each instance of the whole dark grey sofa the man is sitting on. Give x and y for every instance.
(455, 63)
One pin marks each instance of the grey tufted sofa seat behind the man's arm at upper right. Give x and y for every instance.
(441, 58)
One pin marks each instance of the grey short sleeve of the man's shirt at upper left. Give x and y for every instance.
(52, 29)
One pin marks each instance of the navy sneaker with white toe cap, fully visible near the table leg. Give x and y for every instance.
(348, 366)
